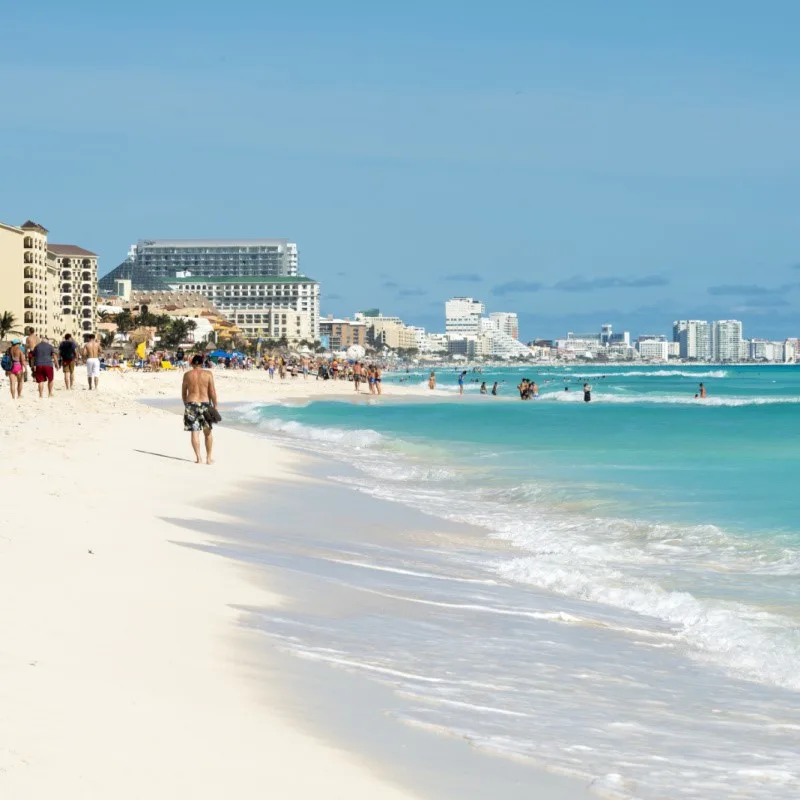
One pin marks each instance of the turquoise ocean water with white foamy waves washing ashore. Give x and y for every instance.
(630, 610)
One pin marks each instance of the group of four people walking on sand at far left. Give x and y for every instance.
(44, 358)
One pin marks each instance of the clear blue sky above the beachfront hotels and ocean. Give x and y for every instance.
(576, 162)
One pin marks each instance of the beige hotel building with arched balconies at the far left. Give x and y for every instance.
(50, 288)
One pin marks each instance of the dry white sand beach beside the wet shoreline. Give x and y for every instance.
(123, 672)
